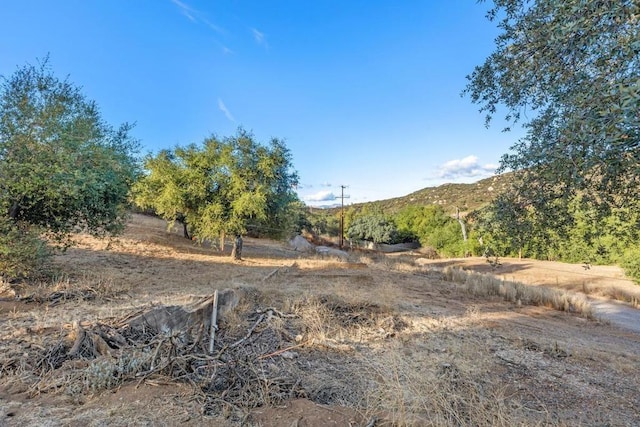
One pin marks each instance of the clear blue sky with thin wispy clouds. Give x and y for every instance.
(365, 93)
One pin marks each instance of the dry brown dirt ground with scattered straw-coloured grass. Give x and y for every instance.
(375, 340)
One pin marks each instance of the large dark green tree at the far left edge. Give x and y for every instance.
(61, 165)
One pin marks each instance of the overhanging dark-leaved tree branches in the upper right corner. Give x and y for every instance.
(569, 71)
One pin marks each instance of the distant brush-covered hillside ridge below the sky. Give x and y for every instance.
(466, 197)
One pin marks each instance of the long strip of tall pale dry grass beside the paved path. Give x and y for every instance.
(519, 293)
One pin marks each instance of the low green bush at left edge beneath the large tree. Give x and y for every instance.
(22, 252)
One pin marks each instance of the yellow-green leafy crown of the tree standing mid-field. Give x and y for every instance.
(222, 187)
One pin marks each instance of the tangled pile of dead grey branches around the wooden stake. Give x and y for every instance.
(250, 366)
